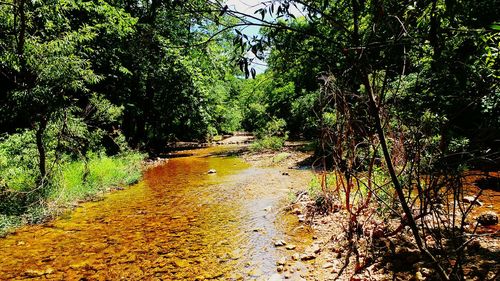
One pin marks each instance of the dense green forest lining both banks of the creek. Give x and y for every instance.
(398, 100)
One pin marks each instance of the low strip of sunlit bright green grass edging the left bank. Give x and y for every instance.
(68, 186)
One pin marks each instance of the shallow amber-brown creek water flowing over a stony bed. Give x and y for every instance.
(178, 223)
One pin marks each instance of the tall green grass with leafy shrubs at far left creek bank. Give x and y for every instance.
(26, 197)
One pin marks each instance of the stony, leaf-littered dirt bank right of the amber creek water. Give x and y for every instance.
(329, 255)
